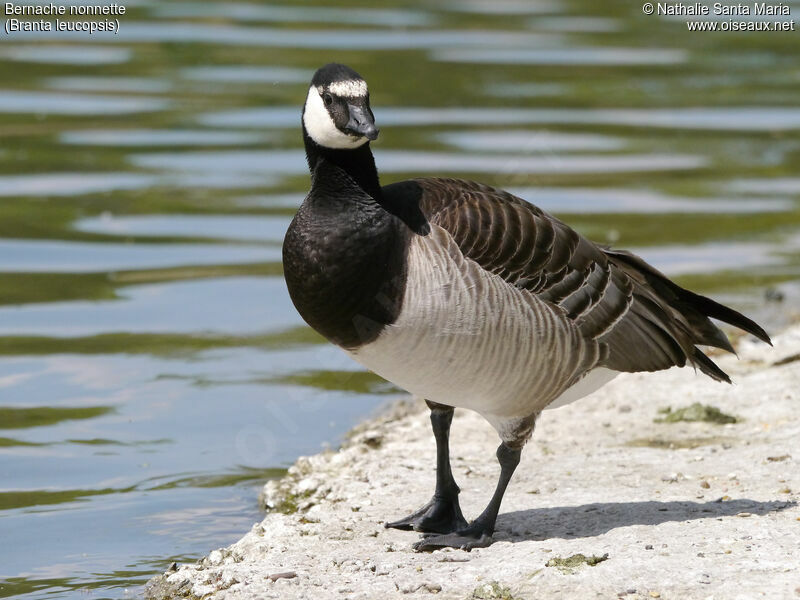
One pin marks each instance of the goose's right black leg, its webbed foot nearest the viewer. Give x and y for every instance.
(478, 534)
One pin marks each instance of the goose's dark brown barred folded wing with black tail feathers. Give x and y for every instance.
(645, 321)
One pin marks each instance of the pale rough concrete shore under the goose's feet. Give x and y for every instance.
(700, 509)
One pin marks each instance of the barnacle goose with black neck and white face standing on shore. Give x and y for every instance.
(468, 296)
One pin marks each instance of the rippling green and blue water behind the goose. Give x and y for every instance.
(153, 372)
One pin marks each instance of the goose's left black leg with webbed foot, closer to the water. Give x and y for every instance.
(442, 514)
